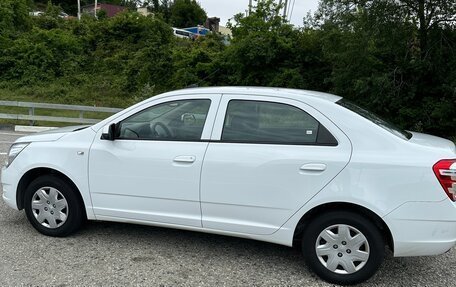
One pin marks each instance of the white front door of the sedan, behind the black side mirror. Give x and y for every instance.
(151, 171)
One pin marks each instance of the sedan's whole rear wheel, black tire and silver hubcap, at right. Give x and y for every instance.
(343, 247)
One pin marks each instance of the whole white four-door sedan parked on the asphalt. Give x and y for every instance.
(276, 165)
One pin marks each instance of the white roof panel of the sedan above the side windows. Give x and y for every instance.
(266, 91)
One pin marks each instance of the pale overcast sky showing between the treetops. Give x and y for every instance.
(225, 9)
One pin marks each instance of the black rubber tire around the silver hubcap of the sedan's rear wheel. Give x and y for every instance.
(376, 247)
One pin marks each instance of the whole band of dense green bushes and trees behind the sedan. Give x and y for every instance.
(395, 57)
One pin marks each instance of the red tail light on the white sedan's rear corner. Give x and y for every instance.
(445, 170)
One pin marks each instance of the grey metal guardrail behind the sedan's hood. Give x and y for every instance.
(32, 117)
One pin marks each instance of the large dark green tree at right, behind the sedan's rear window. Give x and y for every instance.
(395, 58)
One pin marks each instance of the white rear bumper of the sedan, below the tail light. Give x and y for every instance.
(423, 228)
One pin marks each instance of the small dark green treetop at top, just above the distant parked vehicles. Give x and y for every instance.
(186, 13)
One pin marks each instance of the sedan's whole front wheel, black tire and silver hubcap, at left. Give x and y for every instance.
(52, 206)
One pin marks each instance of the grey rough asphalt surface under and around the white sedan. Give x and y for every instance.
(114, 254)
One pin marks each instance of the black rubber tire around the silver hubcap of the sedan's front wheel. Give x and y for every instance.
(74, 209)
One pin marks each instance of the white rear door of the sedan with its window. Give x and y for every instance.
(266, 159)
